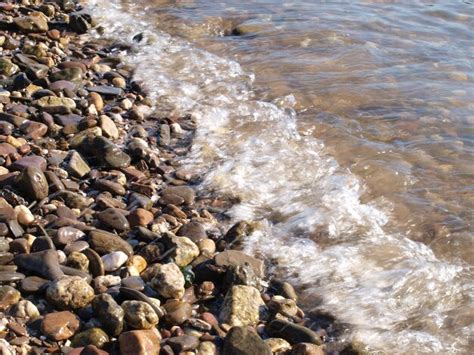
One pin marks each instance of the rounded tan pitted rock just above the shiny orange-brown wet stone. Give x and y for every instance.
(70, 293)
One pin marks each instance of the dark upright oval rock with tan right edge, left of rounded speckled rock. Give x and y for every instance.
(110, 314)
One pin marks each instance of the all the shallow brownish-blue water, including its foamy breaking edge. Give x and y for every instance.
(346, 128)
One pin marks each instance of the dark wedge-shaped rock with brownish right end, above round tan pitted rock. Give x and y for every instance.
(43, 263)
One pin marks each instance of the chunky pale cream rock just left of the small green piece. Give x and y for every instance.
(169, 281)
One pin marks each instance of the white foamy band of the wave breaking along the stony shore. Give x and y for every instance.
(393, 291)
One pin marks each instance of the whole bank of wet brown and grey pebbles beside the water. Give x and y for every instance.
(104, 246)
